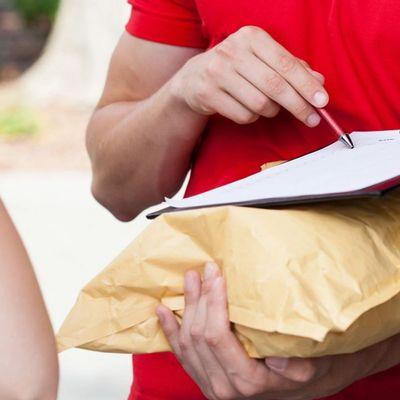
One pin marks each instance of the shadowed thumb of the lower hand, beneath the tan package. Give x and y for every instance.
(295, 369)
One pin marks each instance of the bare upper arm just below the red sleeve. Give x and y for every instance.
(140, 67)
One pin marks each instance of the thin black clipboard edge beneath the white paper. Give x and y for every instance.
(370, 192)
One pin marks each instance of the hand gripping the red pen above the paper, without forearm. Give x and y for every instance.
(249, 75)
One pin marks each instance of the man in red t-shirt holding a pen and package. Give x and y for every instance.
(220, 88)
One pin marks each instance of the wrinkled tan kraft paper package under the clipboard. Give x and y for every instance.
(303, 281)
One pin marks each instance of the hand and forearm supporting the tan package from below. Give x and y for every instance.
(212, 355)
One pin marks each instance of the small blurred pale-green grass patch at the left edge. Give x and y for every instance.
(18, 123)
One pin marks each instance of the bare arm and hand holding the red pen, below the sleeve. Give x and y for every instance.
(157, 98)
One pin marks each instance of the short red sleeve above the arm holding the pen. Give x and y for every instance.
(174, 22)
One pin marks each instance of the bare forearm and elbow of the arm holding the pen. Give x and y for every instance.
(141, 151)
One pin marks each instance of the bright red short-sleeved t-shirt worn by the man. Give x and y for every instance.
(354, 43)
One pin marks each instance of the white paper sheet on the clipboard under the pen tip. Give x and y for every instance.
(334, 169)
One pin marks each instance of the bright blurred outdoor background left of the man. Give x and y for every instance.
(53, 60)
